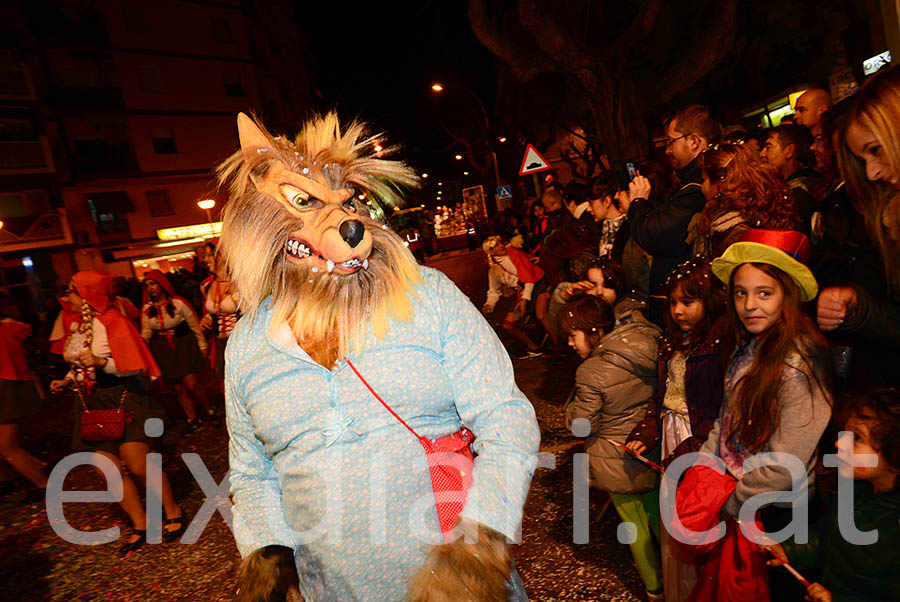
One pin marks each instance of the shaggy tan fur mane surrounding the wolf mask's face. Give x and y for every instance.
(330, 314)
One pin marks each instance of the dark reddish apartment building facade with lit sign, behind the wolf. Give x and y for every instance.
(113, 116)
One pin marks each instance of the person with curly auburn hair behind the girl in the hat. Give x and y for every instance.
(741, 192)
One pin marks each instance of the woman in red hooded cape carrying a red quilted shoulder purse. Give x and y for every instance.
(109, 367)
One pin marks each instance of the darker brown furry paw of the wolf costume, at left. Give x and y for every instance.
(269, 575)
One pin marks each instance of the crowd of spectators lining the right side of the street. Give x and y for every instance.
(763, 273)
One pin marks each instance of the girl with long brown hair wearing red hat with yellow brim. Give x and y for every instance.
(778, 382)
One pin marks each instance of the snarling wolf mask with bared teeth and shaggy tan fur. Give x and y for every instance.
(295, 228)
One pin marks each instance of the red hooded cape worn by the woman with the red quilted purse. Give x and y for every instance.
(125, 343)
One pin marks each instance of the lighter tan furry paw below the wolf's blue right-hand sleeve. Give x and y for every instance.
(460, 571)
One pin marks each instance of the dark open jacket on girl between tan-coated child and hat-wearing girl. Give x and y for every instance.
(704, 386)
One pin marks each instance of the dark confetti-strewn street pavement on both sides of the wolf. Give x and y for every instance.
(37, 565)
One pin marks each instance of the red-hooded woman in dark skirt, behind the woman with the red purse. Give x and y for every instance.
(172, 330)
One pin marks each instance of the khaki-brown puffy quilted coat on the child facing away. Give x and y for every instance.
(612, 389)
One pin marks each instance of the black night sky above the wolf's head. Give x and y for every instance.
(377, 61)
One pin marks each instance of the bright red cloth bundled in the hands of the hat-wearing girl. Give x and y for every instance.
(734, 568)
